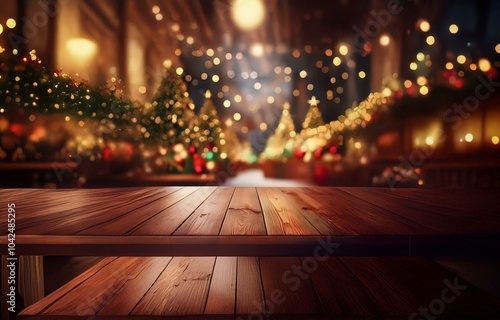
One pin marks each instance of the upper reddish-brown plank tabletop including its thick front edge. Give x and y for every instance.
(253, 221)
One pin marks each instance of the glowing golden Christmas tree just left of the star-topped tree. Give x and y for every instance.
(280, 143)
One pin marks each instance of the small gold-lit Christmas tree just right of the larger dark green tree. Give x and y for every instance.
(208, 127)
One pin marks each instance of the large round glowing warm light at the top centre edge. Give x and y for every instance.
(248, 14)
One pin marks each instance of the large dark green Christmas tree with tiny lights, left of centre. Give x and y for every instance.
(166, 118)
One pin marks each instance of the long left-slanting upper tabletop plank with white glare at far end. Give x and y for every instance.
(124, 223)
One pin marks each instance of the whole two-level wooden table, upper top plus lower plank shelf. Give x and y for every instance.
(219, 231)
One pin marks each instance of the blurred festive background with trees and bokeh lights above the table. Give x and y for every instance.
(249, 92)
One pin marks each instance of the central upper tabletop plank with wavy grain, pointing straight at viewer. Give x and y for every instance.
(244, 216)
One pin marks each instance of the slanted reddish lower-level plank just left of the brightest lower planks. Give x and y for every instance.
(125, 299)
